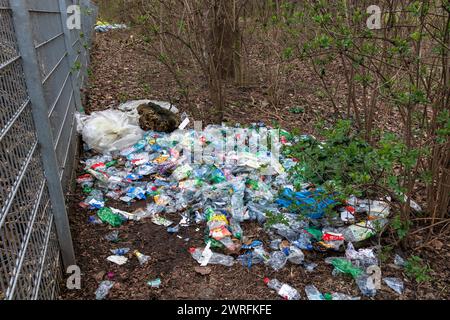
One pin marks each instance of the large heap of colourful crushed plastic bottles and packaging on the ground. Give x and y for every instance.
(221, 191)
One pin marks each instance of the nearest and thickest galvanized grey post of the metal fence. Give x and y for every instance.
(22, 25)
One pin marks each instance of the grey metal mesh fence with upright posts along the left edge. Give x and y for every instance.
(43, 65)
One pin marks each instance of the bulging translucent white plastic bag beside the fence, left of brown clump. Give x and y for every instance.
(108, 131)
